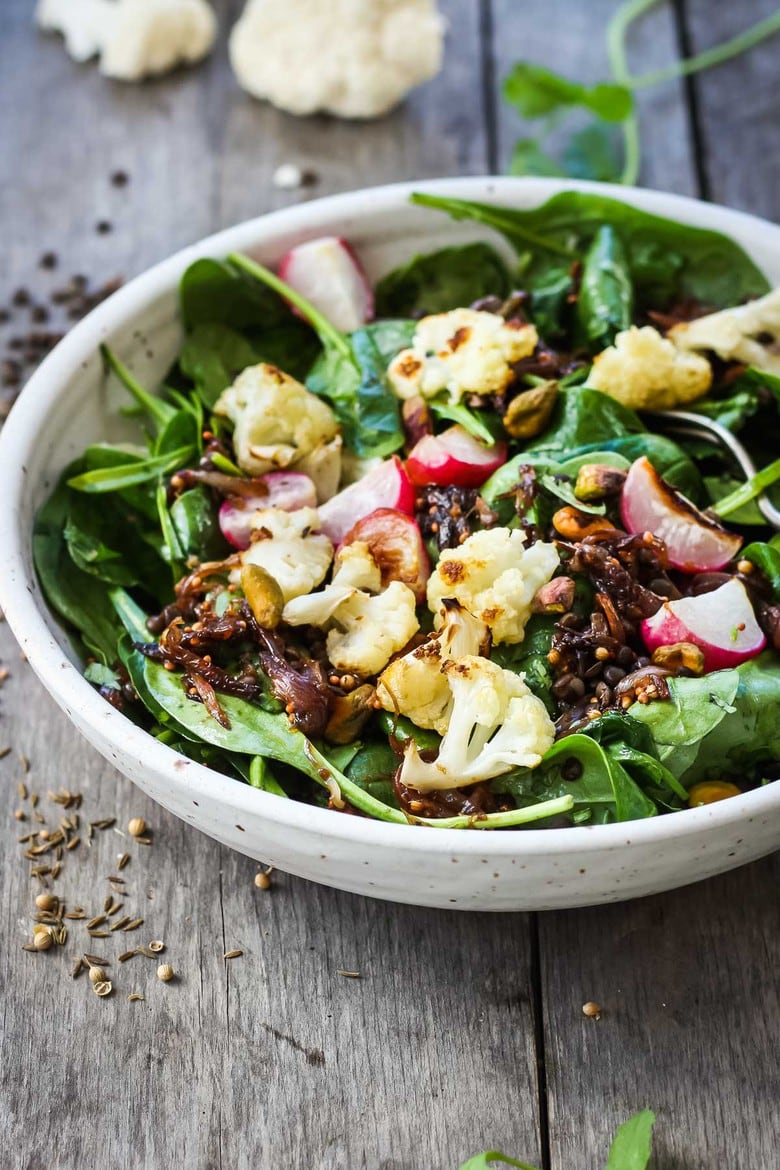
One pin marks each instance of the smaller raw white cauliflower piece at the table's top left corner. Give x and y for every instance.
(135, 39)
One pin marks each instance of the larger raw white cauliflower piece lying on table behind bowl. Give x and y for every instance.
(356, 59)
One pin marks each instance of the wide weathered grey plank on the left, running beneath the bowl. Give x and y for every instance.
(272, 1058)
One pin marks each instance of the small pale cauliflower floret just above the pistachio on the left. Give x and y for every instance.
(289, 548)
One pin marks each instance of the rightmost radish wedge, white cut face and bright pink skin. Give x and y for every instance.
(722, 624)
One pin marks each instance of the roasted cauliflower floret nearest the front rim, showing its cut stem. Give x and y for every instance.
(496, 725)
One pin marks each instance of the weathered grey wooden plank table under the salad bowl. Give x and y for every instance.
(464, 1031)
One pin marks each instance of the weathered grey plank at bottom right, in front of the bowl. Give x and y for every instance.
(688, 986)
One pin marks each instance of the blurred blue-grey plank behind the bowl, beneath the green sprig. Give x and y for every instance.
(570, 39)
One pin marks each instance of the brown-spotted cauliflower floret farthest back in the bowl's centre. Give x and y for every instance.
(463, 353)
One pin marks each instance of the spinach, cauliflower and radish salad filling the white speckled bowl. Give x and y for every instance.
(447, 549)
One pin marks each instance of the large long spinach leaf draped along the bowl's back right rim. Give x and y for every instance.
(662, 256)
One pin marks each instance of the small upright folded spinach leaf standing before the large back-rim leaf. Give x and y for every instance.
(606, 301)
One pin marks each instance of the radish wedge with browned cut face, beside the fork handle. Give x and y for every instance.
(695, 543)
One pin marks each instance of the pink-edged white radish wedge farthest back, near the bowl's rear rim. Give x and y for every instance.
(329, 274)
